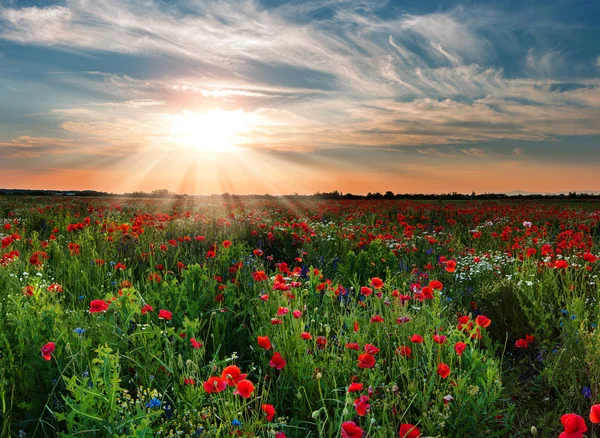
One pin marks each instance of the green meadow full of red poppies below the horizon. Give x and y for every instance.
(252, 318)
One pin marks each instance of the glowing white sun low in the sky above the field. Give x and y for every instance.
(214, 131)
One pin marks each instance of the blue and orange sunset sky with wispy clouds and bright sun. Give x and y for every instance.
(300, 96)
